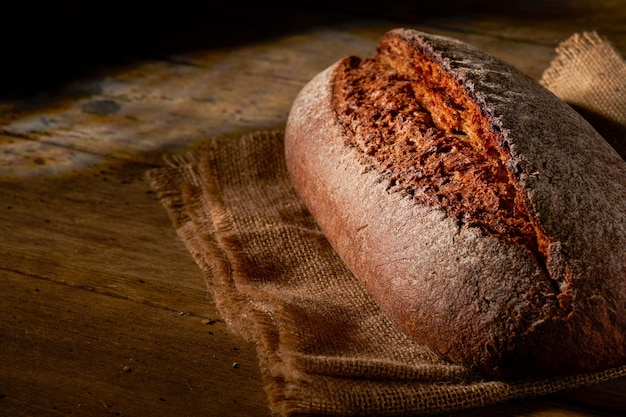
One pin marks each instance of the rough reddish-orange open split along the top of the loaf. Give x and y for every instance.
(417, 126)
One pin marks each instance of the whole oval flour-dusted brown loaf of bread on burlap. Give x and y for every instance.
(483, 214)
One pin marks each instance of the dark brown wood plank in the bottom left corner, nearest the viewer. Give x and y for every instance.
(67, 350)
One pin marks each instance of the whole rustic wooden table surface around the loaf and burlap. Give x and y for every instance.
(103, 311)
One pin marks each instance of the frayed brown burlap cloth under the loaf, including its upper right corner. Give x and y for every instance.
(324, 348)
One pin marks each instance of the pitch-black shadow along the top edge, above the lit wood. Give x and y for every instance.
(46, 45)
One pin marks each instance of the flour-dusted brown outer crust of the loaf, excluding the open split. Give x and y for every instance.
(471, 296)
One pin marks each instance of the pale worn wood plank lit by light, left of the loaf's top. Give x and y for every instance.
(139, 113)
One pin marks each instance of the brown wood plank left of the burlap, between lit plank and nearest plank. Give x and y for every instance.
(97, 227)
